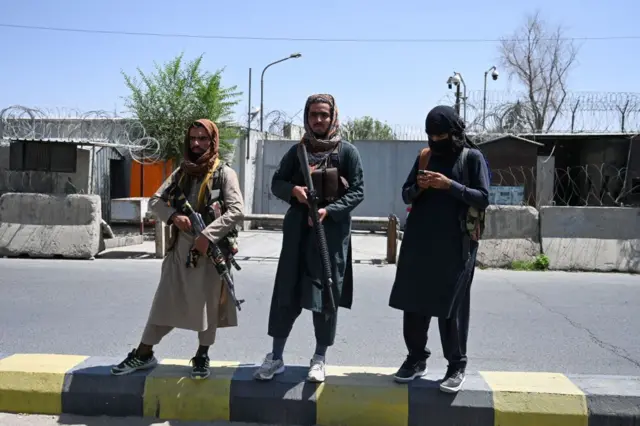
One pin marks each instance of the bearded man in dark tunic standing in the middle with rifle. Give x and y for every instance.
(321, 177)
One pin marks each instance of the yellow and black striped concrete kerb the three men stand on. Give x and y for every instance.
(69, 384)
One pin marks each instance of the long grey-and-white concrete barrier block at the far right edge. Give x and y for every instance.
(591, 238)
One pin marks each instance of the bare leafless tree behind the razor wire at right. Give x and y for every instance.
(540, 58)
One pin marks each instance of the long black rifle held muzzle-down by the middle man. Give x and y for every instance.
(321, 238)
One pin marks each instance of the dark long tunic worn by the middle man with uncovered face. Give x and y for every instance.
(299, 272)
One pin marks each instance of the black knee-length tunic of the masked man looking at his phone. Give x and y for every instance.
(431, 267)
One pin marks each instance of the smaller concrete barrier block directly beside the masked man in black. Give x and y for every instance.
(511, 234)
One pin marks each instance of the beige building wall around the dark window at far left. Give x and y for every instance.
(43, 182)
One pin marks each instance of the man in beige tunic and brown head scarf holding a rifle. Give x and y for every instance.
(196, 288)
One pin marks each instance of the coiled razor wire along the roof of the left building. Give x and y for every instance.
(98, 128)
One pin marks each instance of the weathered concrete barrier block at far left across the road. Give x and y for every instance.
(44, 226)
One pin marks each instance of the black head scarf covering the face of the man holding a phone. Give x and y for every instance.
(445, 120)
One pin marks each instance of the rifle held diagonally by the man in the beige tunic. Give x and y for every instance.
(213, 251)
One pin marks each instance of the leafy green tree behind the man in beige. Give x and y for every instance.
(167, 101)
